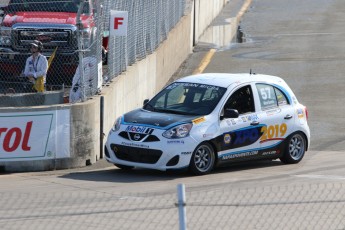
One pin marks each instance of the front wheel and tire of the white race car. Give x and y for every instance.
(203, 159)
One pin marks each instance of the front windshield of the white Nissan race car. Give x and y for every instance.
(186, 98)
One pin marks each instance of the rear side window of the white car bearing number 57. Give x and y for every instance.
(270, 96)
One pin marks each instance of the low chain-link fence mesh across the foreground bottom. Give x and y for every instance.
(297, 206)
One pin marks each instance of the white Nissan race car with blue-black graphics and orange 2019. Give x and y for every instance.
(202, 121)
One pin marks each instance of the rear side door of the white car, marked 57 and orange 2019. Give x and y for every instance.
(276, 117)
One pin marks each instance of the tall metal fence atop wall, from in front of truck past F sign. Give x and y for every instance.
(76, 33)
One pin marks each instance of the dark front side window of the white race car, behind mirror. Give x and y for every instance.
(242, 100)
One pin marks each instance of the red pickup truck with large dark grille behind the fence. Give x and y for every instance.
(55, 24)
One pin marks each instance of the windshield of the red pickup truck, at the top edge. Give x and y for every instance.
(70, 6)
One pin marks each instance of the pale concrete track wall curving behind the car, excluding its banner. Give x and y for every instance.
(124, 93)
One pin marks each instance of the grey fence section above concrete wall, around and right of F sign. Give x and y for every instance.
(149, 24)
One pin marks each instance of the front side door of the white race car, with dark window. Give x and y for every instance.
(239, 136)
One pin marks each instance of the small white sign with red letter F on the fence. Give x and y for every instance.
(118, 23)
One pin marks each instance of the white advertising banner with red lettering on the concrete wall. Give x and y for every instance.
(35, 135)
